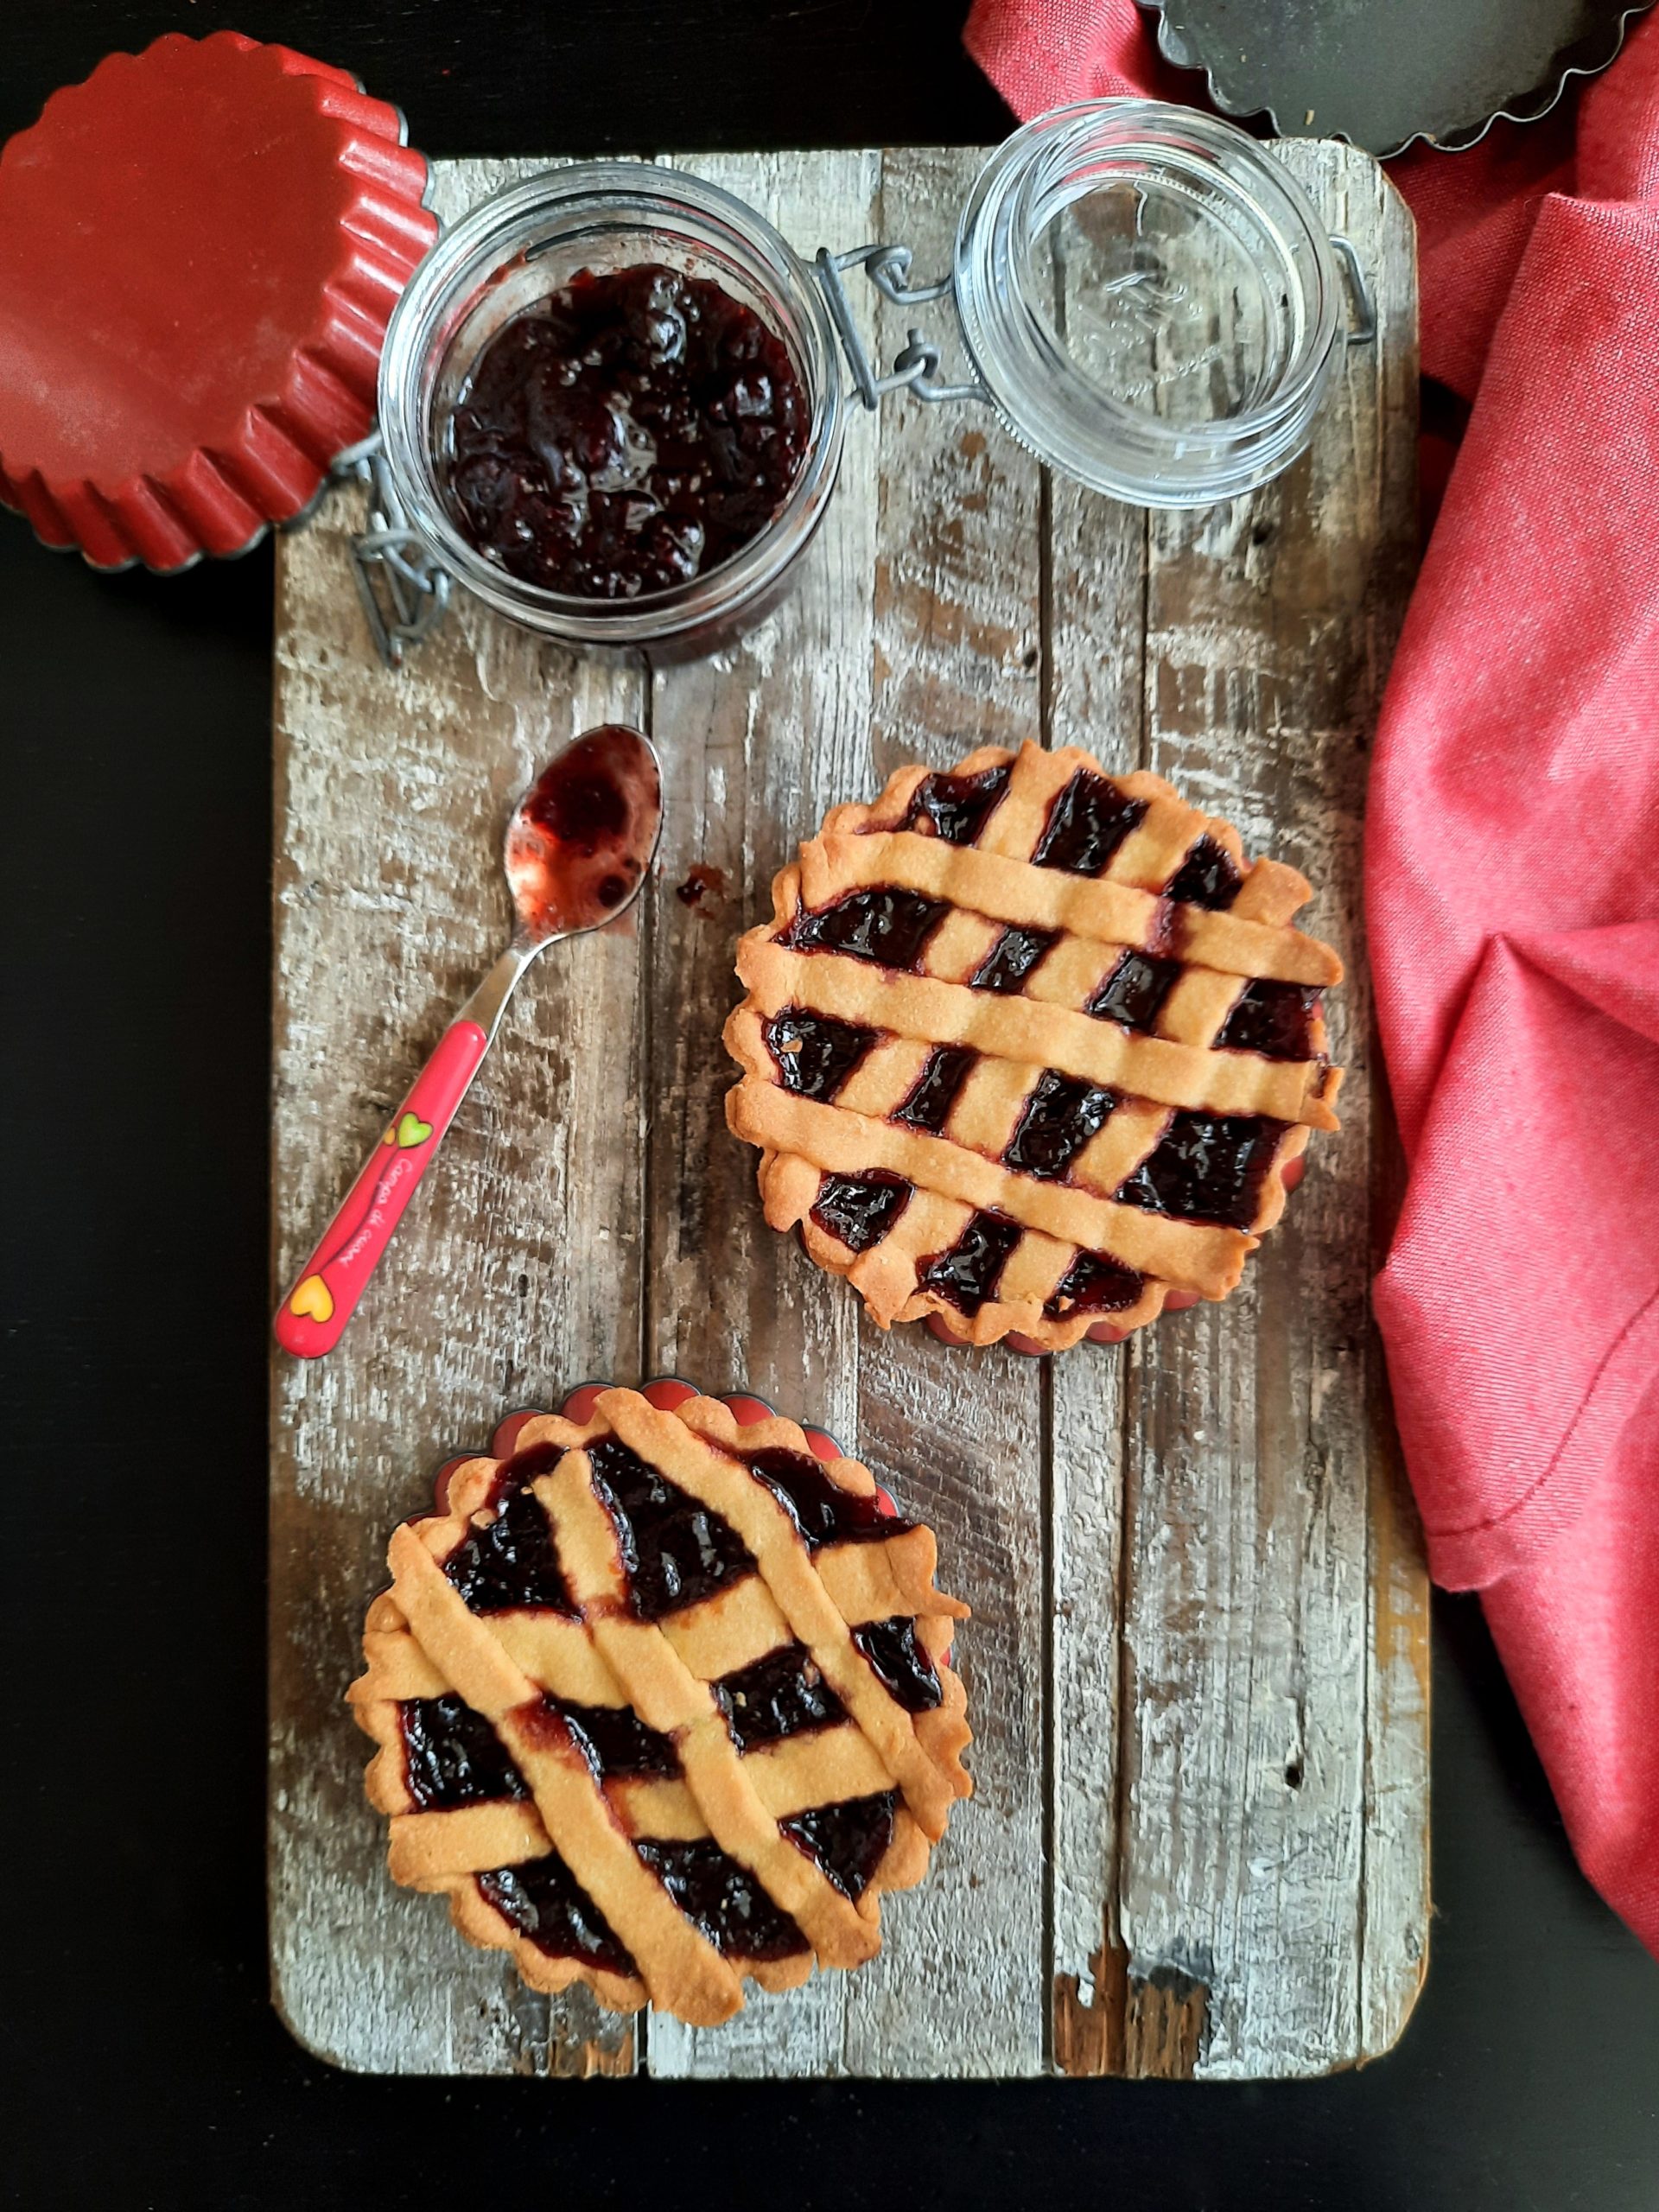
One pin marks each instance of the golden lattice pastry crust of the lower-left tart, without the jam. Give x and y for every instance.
(523, 1669)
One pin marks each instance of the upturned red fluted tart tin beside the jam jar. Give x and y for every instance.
(200, 251)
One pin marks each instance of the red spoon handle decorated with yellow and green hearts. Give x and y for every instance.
(333, 1280)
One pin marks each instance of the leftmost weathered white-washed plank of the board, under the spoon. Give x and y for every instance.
(390, 808)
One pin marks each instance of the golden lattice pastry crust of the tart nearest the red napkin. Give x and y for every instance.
(1019, 1039)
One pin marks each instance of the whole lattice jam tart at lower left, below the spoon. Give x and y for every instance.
(665, 1704)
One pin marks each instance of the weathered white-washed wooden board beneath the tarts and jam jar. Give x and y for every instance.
(1198, 1660)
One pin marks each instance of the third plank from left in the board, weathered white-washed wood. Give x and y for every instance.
(954, 1432)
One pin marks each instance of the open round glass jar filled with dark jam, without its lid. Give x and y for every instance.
(612, 406)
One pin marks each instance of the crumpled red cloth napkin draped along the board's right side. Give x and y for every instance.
(1514, 906)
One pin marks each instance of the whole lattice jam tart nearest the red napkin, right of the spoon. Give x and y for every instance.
(1030, 1047)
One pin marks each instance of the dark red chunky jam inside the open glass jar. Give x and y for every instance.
(627, 435)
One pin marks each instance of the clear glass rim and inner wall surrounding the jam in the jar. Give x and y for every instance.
(492, 238)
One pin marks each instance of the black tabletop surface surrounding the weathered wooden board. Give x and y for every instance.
(140, 2058)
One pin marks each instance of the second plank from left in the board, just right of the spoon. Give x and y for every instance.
(755, 747)
